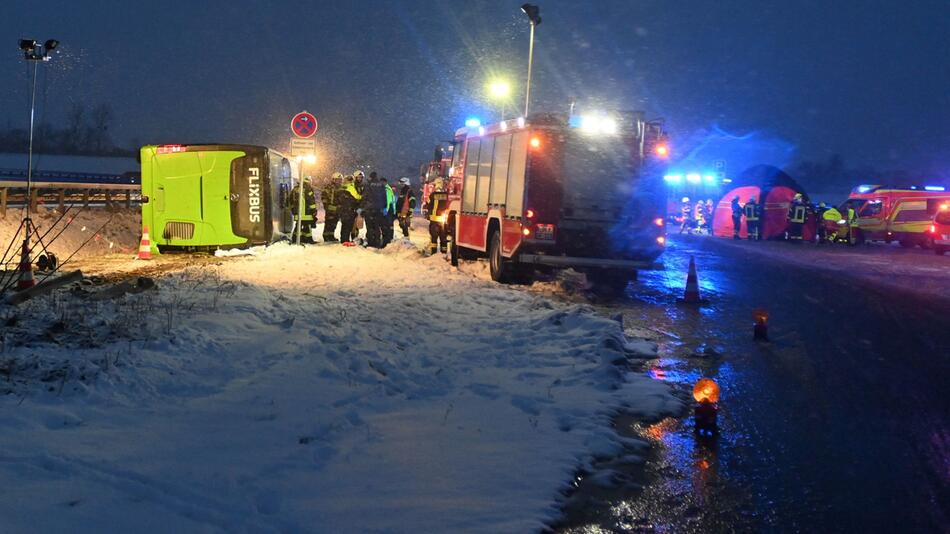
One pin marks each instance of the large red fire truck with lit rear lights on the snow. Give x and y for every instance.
(555, 191)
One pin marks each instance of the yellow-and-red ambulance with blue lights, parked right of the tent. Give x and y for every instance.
(902, 215)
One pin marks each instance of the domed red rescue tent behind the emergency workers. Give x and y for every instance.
(773, 190)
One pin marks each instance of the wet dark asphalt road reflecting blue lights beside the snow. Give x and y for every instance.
(840, 424)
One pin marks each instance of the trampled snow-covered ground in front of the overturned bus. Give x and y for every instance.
(321, 389)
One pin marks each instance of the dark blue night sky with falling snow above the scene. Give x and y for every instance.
(868, 79)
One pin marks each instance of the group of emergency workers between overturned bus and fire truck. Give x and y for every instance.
(355, 203)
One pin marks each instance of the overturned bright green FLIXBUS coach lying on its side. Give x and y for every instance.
(205, 197)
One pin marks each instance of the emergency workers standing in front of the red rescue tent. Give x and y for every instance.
(830, 224)
